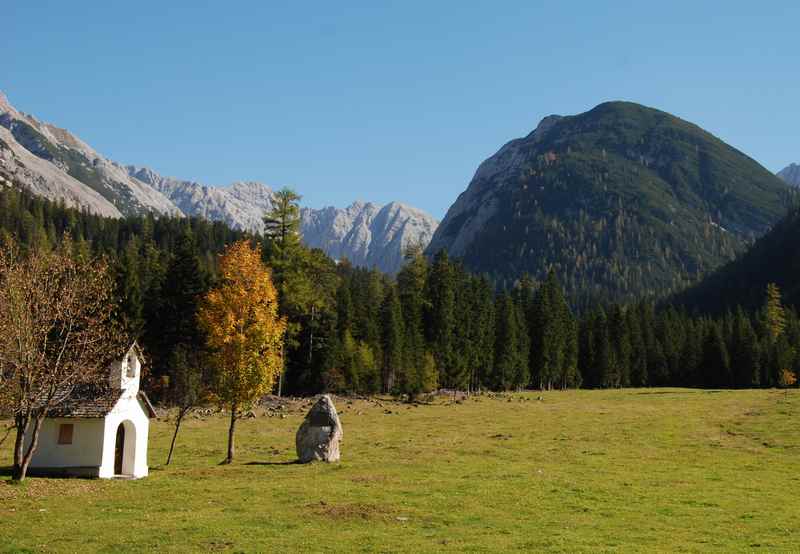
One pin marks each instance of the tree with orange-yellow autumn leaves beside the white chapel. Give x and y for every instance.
(244, 332)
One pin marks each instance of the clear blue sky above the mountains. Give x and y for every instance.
(387, 100)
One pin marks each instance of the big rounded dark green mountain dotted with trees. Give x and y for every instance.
(621, 200)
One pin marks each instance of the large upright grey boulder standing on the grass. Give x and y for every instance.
(319, 435)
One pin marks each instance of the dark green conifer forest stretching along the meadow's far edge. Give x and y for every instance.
(436, 325)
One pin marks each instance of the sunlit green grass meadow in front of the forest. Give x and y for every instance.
(655, 470)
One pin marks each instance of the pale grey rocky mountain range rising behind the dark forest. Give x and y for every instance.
(54, 163)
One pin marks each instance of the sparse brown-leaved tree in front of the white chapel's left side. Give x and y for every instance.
(56, 332)
